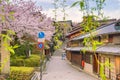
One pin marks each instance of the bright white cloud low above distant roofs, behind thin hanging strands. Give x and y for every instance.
(72, 14)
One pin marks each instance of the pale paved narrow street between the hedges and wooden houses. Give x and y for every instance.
(58, 69)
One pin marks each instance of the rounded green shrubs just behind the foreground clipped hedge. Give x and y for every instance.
(32, 61)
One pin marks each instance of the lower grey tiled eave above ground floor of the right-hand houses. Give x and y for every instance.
(113, 50)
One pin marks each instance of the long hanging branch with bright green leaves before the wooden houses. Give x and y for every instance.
(89, 25)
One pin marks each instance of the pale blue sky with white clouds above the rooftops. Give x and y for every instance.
(111, 9)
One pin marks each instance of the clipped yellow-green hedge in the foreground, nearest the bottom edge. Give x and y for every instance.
(21, 73)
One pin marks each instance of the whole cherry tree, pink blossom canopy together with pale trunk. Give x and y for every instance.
(21, 17)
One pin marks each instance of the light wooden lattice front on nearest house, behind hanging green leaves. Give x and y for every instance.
(110, 72)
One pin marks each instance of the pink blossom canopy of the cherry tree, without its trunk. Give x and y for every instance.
(25, 17)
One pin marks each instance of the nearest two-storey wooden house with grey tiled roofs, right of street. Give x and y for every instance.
(110, 51)
